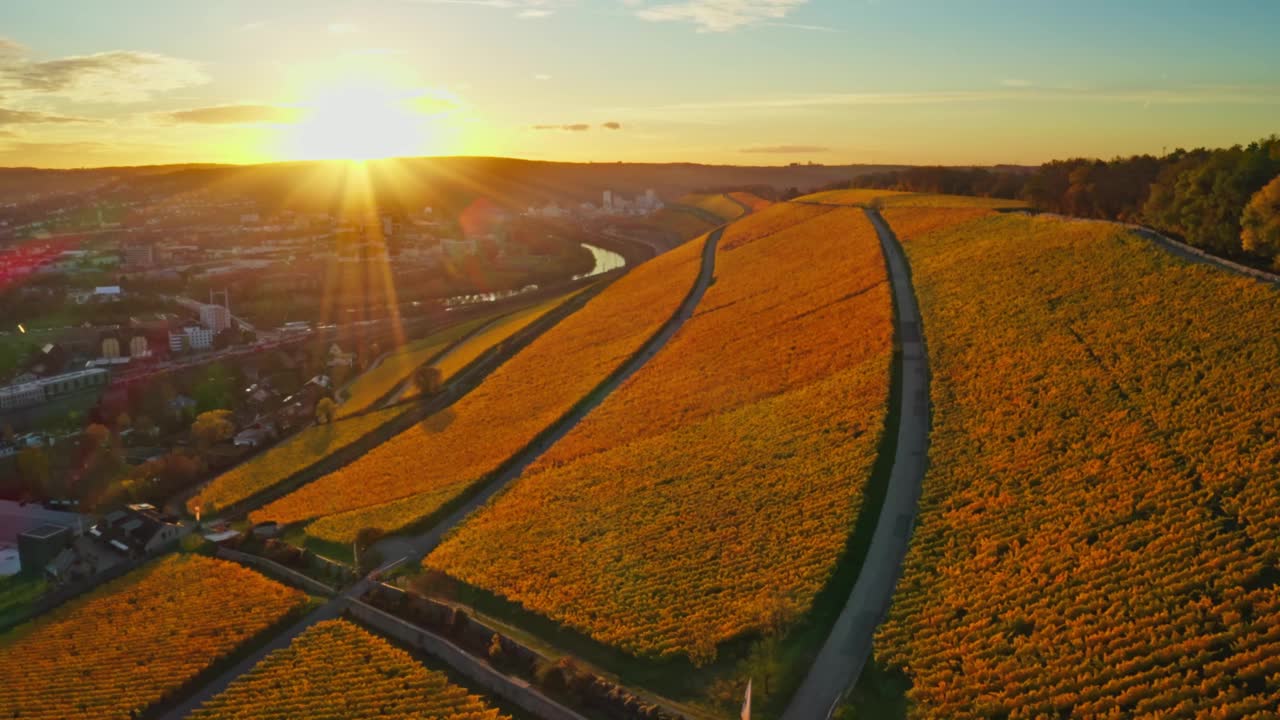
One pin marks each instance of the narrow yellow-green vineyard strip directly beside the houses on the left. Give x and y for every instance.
(282, 462)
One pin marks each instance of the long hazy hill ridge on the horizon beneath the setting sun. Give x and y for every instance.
(403, 185)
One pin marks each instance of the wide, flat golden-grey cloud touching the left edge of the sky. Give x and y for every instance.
(118, 76)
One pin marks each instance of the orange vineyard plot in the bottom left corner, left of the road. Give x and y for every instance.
(131, 642)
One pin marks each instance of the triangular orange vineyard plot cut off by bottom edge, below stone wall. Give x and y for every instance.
(336, 669)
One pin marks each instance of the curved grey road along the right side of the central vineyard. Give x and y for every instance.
(849, 645)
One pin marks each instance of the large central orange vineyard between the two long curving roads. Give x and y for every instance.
(714, 494)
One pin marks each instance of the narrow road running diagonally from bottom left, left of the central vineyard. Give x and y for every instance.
(413, 550)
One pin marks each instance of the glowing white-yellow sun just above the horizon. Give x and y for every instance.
(363, 120)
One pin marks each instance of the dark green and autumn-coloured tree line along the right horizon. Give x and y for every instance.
(1226, 202)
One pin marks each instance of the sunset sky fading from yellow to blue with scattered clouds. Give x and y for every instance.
(748, 83)
